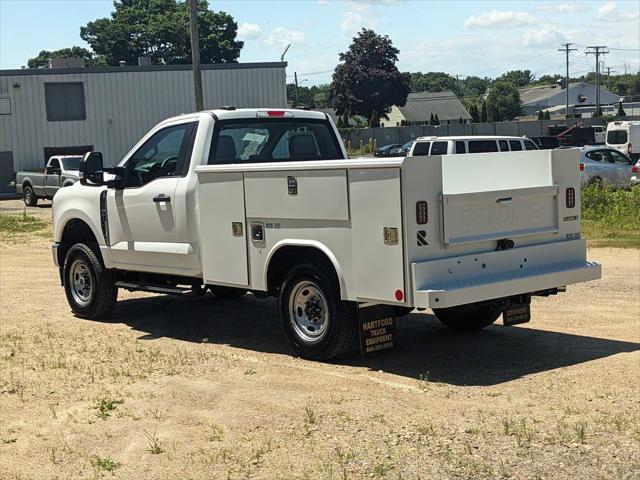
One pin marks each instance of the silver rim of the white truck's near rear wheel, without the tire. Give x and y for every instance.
(308, 311)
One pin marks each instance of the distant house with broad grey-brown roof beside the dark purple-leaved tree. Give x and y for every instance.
(420, 106)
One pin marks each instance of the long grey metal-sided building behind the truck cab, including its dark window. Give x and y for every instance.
(73, 110)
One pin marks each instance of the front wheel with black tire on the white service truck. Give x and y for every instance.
(81, 262)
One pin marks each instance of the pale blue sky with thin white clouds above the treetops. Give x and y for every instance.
(459, 37)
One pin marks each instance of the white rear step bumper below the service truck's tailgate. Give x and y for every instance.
(473, 278)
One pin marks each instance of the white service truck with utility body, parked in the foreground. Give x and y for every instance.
(267, 201)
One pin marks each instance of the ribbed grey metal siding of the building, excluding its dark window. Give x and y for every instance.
(122, 106)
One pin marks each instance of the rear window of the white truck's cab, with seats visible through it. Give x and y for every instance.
(273, 140)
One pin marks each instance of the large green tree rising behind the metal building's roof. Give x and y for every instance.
(160, 29)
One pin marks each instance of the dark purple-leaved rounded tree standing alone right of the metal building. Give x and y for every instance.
(366, 81)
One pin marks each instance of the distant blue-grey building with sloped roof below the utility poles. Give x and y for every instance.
(544, 97)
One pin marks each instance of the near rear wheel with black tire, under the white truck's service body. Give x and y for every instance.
(339, 325)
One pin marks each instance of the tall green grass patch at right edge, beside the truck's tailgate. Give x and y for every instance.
(610, 217)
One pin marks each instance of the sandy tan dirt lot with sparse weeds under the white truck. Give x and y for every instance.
(203, 388)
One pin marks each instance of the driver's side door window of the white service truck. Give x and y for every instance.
(163, 155)
